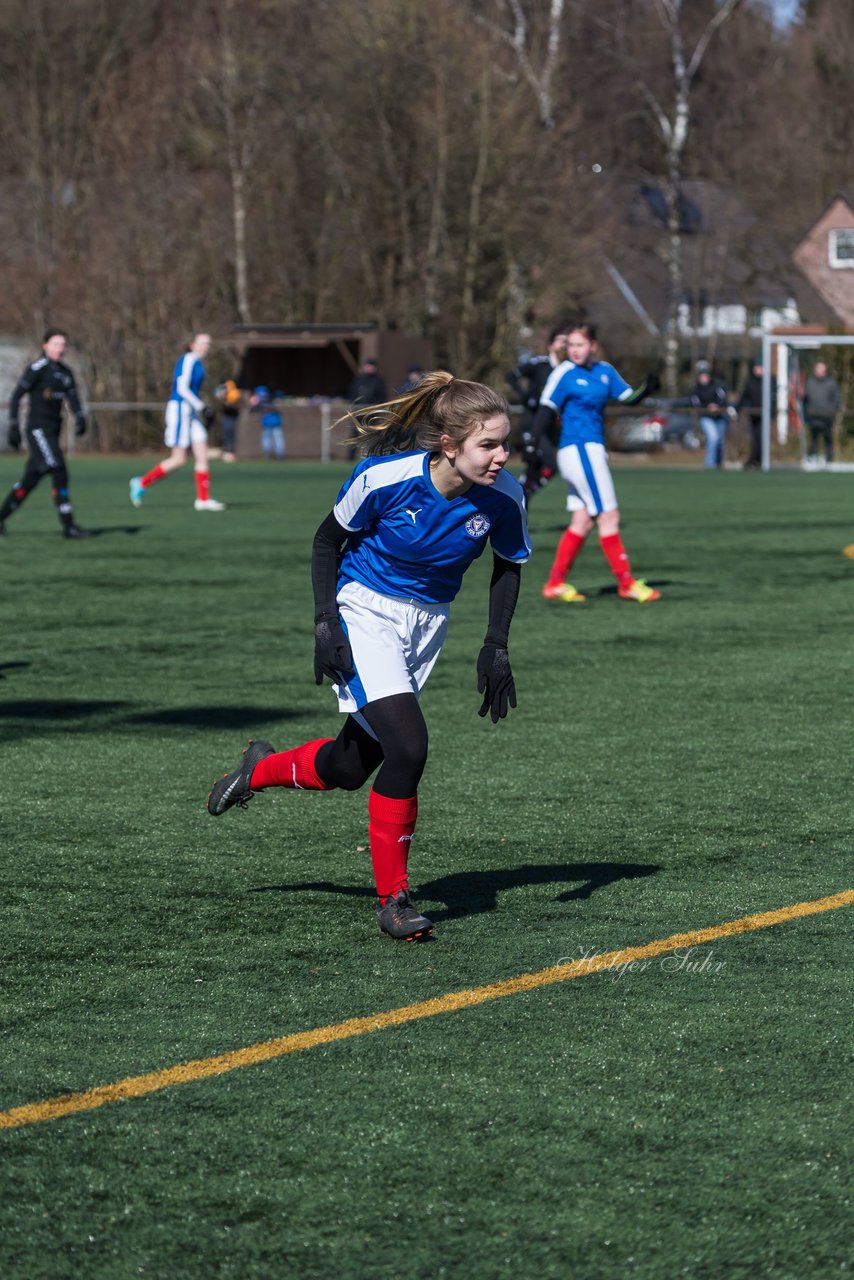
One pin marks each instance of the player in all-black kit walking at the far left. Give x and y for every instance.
(49, 385)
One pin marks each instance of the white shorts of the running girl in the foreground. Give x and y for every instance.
(395, 646)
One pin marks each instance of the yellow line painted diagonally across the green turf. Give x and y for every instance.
(138, 1086)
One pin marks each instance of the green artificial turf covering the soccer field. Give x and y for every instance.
(669, 767)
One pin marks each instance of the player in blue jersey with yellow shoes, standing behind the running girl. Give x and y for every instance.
(578, 392)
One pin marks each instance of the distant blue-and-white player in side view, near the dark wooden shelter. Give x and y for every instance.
(188, 422)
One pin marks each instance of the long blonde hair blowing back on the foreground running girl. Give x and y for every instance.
(440, 405)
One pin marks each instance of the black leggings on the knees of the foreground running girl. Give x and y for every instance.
(399, 751)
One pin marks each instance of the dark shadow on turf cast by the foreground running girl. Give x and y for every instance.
(474, 893)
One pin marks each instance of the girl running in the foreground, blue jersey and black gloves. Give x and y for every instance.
(415, 514)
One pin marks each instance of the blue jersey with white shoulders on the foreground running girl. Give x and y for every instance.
(410, 542)
